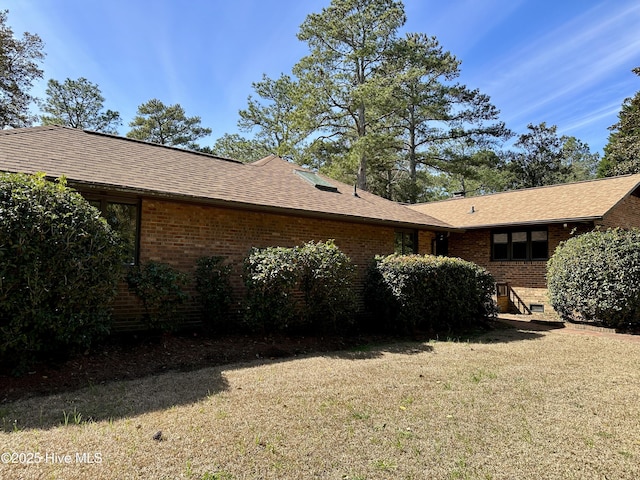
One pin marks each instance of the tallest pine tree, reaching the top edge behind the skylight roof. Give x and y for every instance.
(342, 93)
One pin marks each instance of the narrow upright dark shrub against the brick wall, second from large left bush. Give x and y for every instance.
(214, 291)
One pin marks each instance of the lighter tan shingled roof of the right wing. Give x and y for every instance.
(581, 201)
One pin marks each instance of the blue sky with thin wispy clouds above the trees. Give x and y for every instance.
(564, 62)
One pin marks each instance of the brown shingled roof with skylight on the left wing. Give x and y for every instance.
(96, 160)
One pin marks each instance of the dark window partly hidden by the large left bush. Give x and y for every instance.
(122, 216)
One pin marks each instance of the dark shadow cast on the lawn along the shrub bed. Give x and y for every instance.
(113, 400)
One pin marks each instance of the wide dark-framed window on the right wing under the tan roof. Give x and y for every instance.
(520, 245)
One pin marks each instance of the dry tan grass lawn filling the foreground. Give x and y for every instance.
(509, 404)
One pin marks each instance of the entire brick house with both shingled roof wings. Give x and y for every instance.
(174, 206)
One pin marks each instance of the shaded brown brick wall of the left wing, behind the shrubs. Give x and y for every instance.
(180, 233)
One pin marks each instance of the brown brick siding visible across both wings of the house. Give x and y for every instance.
(180, 233)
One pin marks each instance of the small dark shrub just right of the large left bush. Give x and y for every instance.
(160, 287)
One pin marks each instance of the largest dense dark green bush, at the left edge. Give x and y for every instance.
(60, 263)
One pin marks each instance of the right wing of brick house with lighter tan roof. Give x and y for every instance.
(512, 234)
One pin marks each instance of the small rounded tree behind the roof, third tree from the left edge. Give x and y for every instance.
(166, 125)
